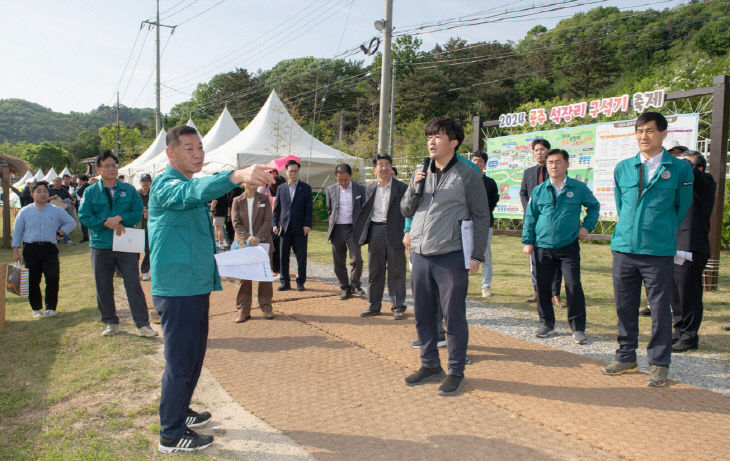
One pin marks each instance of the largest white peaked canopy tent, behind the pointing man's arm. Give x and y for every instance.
(273, 133)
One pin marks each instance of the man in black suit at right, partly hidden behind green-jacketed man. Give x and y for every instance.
(692, 239)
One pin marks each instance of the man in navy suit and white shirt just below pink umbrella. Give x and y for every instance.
(293, 221)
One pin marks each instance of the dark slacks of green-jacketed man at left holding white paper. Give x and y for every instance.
(103, 263)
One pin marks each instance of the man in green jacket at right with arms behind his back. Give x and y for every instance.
(653, 191)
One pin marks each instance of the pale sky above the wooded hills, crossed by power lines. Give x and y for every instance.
(74, 55)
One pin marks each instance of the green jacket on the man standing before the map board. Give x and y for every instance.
(552, 220)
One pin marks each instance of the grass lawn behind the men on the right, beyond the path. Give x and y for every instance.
(511, 286)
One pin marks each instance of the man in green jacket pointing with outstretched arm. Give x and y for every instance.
(182, 248)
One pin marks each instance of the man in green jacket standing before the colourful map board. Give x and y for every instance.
(551, 230)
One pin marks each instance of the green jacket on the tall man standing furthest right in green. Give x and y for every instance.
(648, 224)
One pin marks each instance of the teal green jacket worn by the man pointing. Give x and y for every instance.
(182, 243)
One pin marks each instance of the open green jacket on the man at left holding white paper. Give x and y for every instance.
(96, 207)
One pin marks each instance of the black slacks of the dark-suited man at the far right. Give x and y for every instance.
(687, 308)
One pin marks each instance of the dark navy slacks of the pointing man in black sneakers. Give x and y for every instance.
(184, 322)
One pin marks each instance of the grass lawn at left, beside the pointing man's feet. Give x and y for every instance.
(66, 392)
